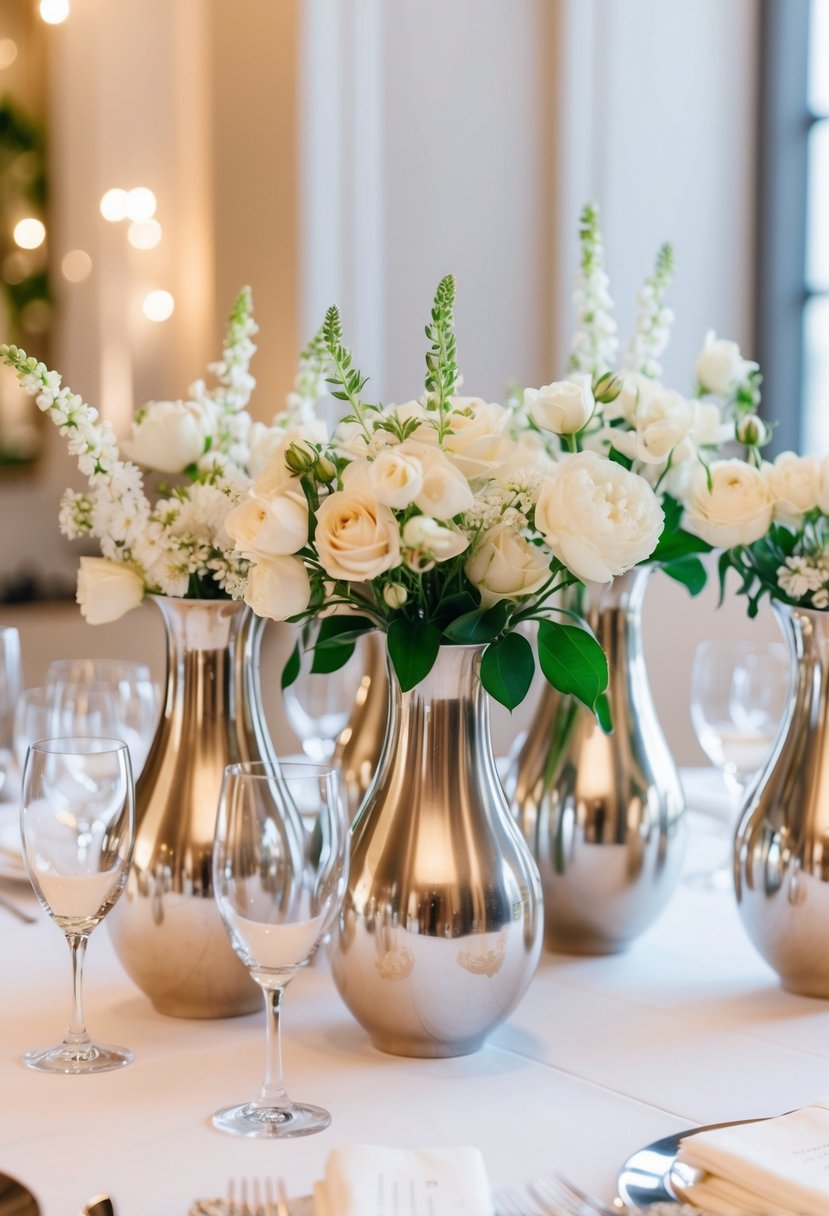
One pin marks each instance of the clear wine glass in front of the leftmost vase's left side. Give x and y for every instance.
(77, 826)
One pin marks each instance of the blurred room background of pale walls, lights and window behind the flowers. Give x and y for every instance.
(157, 156)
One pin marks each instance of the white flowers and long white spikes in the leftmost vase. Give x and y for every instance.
(177, 544)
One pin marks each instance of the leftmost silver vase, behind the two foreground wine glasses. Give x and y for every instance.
(166, 928)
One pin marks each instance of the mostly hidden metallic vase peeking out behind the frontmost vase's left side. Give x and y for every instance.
(360, 744)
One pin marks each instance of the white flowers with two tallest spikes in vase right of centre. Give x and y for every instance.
(623, 410)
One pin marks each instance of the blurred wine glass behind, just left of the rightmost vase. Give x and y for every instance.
(738, 696)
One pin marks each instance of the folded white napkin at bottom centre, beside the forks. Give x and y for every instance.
(364, 1180)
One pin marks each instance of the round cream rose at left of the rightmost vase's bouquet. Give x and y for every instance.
(737, 510)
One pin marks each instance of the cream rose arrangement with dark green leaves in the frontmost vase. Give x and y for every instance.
(444, 521)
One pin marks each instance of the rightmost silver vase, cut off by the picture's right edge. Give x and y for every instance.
(781, 855)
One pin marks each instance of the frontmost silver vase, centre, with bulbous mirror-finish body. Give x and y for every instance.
(441, 930)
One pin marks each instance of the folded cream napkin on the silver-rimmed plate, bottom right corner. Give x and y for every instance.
(775, 1167)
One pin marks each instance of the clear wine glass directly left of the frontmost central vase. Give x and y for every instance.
(279, 872)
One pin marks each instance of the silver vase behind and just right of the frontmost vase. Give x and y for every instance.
(604, 814)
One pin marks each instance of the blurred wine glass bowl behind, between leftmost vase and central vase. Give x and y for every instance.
(319, 706)
